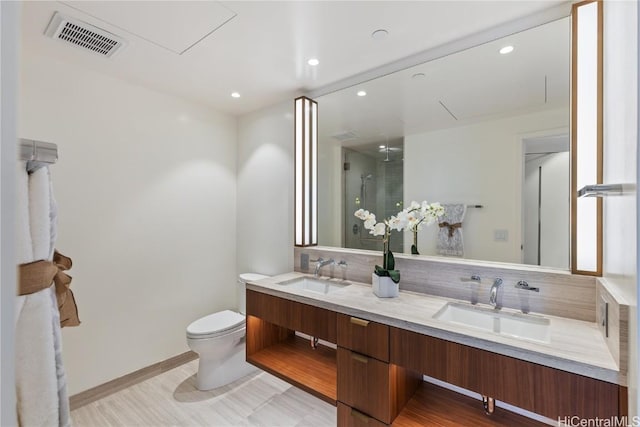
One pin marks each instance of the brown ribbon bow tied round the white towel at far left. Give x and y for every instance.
(38, 275)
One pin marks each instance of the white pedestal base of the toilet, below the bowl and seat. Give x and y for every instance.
(213, 374)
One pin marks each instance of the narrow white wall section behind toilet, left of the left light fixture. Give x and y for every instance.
(265, 190)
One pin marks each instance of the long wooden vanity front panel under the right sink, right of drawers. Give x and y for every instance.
(536, 388)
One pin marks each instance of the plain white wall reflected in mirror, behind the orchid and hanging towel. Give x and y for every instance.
(476, 164)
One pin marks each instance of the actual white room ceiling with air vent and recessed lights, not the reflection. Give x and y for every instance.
(205, 50)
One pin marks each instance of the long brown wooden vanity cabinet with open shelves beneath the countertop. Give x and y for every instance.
(376, 369)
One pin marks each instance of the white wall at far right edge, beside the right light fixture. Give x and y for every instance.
(620, 164)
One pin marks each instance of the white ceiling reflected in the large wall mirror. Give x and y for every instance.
(473, 85)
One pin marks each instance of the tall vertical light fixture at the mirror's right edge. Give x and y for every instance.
(586, 136)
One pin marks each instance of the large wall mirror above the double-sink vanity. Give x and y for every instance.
(486, 127)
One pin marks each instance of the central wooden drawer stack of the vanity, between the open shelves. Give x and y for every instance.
(370, 390)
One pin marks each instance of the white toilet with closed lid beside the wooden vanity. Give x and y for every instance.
(219, 341)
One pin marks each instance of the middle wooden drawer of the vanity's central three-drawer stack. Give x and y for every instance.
(363, 383)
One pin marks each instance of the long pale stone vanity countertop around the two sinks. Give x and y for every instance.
(575, 346)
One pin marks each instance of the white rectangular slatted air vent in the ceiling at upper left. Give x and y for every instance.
(84, 35)
